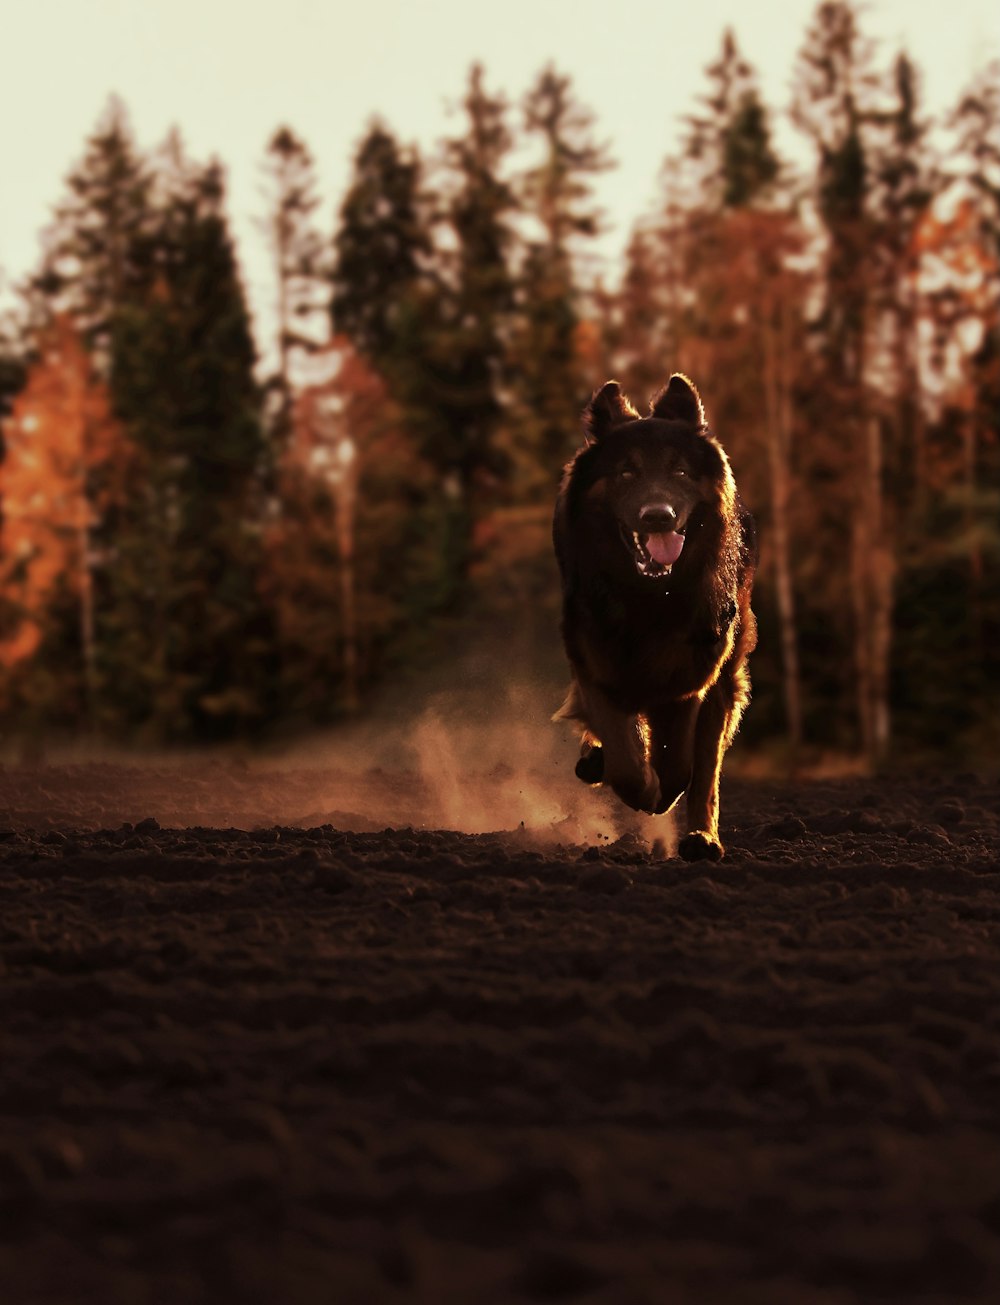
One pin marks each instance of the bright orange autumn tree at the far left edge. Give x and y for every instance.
(55, 485)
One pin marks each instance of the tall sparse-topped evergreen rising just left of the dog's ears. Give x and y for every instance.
(557, 192)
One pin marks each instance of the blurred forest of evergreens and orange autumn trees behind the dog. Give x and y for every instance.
(212, 537)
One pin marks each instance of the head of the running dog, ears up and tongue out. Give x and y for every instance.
(656, 476)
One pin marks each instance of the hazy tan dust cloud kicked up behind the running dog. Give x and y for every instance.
(480, 758)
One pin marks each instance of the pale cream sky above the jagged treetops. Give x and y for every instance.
(228, 72)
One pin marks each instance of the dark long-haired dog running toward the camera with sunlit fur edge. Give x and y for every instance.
(657, 557)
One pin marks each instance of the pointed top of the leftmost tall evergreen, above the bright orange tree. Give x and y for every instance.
(89, 269)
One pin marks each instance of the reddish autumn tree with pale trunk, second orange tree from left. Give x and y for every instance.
(356, 547)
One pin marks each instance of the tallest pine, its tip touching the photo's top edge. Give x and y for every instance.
(835, 106)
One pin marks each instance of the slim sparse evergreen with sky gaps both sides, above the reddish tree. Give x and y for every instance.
(300, 256)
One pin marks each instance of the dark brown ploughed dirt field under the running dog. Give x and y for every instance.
(294, 1064)
